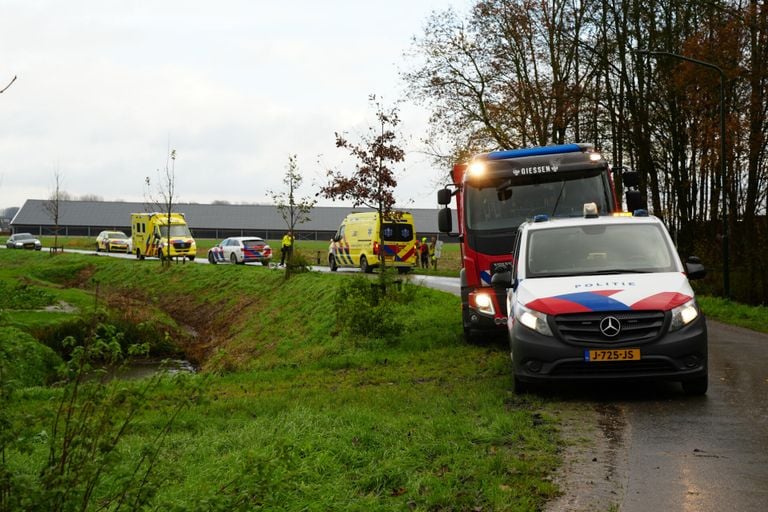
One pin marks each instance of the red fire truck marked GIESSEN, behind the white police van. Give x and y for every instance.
(495, 193)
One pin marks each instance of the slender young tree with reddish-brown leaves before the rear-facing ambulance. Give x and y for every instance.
(373, 182)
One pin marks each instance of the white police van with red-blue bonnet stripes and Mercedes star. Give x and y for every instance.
(603, 298)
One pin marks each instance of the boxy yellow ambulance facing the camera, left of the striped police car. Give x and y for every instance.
(152, 236)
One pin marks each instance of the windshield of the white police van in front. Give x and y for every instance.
(598, 249)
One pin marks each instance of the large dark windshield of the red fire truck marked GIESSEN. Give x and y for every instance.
(503, 203)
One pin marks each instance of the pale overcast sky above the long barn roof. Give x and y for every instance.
(235, 86)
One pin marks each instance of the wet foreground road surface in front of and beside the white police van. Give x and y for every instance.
(705, 453)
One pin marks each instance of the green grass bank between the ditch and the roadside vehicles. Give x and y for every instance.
(301, 416)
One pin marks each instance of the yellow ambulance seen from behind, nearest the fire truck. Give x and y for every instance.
(361, 240)
